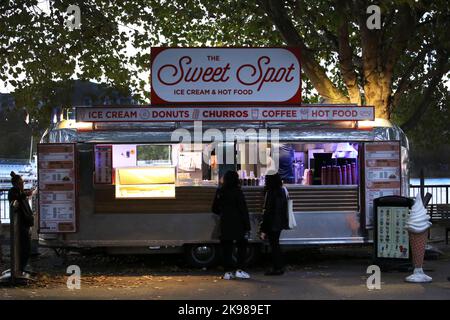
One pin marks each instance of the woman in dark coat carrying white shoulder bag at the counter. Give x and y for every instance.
(275, 220)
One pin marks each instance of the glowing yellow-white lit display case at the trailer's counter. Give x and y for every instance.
(145, 182)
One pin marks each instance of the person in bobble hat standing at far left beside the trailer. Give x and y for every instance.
(20, 207)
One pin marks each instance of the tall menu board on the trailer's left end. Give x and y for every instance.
(57, 188)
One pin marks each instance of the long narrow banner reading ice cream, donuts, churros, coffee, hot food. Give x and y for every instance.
(236, 113)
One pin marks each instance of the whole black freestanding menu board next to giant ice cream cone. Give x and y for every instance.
(391, 240)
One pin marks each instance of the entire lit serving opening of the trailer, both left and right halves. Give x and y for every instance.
(156, 170)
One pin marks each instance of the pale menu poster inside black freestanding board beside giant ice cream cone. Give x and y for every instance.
(393, 240)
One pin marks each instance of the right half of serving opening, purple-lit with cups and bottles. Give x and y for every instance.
(299, 163)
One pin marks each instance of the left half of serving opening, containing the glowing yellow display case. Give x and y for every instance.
(145, 171)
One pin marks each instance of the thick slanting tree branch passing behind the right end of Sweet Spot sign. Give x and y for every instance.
(316, 74)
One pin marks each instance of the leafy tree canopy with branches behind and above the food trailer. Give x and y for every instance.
(401, 69)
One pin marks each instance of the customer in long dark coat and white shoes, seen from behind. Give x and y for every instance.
(229, 203)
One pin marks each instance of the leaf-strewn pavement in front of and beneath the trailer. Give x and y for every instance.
(327, 273)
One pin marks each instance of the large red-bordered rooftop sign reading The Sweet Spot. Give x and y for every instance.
(225, 75)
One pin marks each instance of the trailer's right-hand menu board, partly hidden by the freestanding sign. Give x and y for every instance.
(382, 173)
